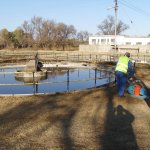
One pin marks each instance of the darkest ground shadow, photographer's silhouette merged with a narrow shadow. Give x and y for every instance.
(118, 133)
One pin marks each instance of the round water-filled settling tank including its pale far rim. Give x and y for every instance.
(57, 79)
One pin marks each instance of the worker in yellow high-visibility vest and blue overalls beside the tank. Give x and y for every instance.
(124, 69)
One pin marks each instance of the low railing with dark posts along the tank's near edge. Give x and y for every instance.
(107, 75)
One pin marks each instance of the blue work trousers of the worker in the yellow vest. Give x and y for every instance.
(121, 79)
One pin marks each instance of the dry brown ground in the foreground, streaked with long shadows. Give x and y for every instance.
(91, 120)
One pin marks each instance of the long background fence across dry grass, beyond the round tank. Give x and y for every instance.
(49, 56)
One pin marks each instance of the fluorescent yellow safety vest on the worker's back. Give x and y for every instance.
(122, 64)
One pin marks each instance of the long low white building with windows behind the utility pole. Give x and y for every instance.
(120, 40)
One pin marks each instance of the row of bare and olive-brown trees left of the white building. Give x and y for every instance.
(43, 34)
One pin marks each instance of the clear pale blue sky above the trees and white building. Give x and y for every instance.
(83, 14)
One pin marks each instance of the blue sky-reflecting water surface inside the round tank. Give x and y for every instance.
(56, 81)
